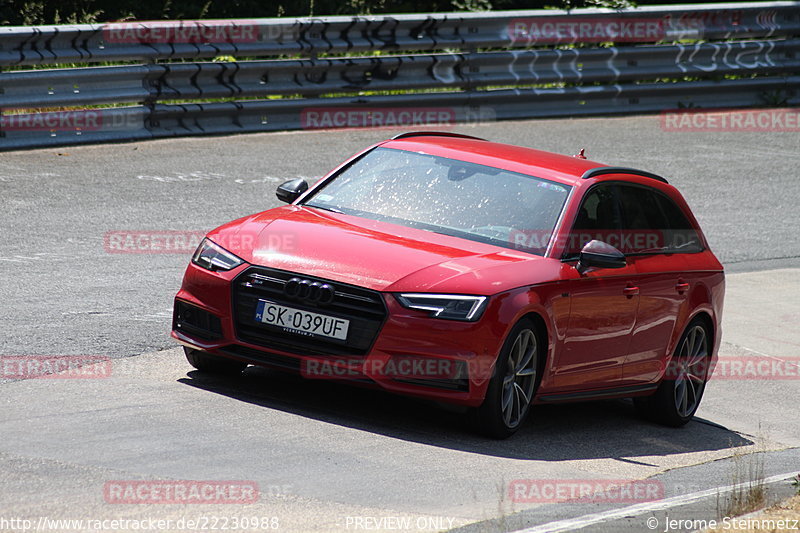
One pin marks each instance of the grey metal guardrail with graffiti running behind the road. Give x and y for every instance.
(494, 66)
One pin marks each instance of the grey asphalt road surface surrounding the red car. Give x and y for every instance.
(328, 457)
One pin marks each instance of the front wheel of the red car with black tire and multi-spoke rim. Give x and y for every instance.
(513, 386)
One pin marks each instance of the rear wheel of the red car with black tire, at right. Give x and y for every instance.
(680, 391)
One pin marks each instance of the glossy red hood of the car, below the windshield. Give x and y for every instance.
(378, 255)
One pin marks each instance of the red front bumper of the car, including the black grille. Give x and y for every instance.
(400, 350)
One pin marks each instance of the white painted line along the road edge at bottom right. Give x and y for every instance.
(641, 508)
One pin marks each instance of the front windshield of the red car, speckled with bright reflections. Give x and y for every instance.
(448, 196)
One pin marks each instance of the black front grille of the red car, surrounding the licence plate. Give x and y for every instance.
(364, 308)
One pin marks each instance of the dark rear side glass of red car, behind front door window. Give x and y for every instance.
(653, 223)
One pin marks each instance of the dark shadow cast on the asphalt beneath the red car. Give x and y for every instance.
(587, 430)
